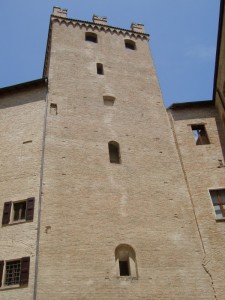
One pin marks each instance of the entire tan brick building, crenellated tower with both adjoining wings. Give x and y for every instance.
(105, 193)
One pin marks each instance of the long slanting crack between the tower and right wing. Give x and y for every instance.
(192, 204)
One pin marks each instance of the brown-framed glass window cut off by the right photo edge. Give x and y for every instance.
(218, 201)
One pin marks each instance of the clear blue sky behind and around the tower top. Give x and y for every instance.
(183, 36)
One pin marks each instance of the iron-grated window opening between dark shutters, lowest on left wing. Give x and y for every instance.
(13, 270)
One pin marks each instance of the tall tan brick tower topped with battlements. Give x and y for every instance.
(116, 218)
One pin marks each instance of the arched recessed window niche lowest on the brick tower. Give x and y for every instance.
(125, 261)
